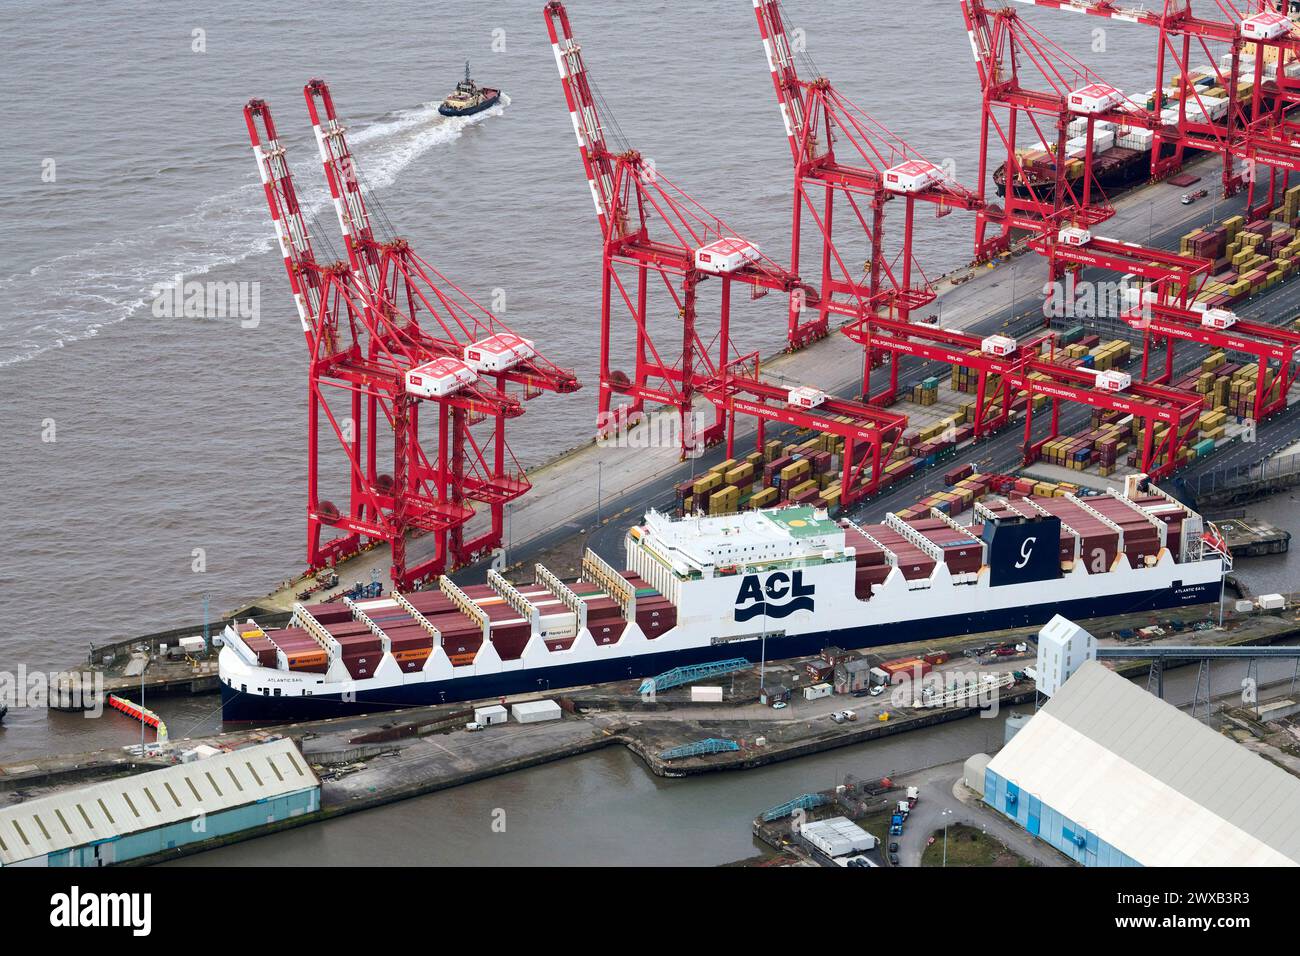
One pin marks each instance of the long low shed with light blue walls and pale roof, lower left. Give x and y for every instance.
(148, 814)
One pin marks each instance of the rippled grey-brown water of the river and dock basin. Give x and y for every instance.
(154, 460)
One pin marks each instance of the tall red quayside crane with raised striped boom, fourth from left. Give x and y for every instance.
(842, 150)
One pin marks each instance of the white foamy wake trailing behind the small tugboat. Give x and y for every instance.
(76, 296)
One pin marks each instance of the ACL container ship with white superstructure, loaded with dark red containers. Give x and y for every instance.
(773, 583)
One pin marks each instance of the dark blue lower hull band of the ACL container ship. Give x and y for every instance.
(237, 707)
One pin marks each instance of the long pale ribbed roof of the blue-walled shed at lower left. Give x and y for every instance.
(157, 798)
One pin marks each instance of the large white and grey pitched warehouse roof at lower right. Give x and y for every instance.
(1151, 781)
